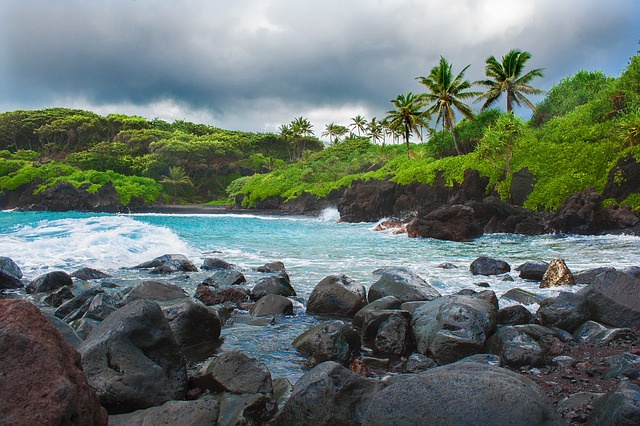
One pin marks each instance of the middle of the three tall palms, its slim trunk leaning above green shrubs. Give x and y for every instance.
(446, 94)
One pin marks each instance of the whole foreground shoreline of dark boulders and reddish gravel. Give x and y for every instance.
(397, 352)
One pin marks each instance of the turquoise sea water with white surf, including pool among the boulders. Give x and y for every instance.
(310, 247)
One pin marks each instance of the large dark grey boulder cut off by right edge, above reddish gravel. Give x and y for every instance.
(614, 299)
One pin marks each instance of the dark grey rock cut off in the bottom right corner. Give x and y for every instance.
(619, 406)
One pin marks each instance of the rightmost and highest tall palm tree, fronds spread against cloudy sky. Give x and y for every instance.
(507, 76)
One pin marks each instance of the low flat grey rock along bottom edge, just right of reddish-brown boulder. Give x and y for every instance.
(200, 412)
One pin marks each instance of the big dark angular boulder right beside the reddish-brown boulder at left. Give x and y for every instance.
(132, 359)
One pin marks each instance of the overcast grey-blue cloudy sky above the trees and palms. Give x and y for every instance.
(256, 64)
